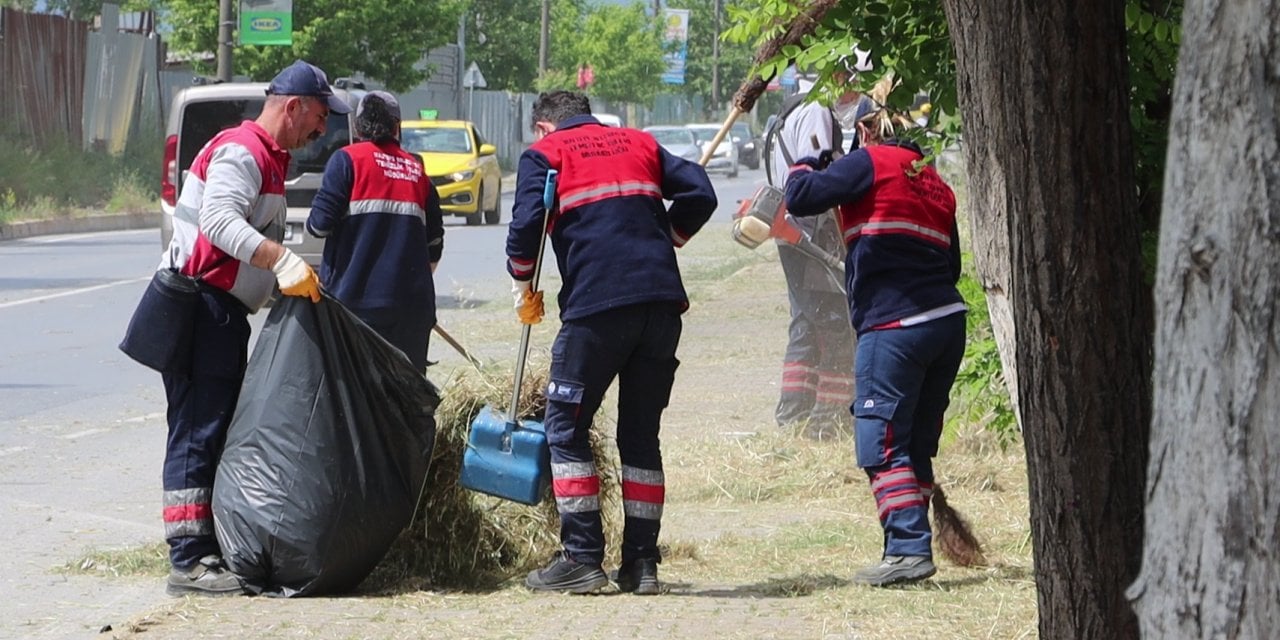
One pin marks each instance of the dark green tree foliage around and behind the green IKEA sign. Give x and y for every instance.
(385, 40)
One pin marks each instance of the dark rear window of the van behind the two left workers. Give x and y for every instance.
(203, 121)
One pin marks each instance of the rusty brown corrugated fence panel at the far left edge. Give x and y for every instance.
(44, 71)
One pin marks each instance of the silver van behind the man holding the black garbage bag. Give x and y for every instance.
(196, 115)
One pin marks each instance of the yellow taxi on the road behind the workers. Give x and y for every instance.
(461, 164)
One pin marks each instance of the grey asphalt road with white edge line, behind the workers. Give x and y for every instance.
(83, 427)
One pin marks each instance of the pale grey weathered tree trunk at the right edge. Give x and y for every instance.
(1210, 566)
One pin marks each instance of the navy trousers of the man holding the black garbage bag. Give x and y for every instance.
(200, 412)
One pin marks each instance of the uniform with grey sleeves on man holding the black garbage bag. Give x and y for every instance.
(232, 200)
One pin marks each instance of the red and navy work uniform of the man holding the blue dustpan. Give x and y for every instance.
(620, 308)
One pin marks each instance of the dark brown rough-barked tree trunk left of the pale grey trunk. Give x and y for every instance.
(1043, 90)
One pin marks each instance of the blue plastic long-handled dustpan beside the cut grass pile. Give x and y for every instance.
(508, 461)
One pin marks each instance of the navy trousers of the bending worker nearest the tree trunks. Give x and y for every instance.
(904, 383)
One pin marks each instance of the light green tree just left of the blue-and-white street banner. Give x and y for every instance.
(621, 44)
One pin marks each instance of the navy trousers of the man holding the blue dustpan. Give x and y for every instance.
(637, 345)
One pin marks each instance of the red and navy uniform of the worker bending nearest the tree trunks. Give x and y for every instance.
(900, 272)
